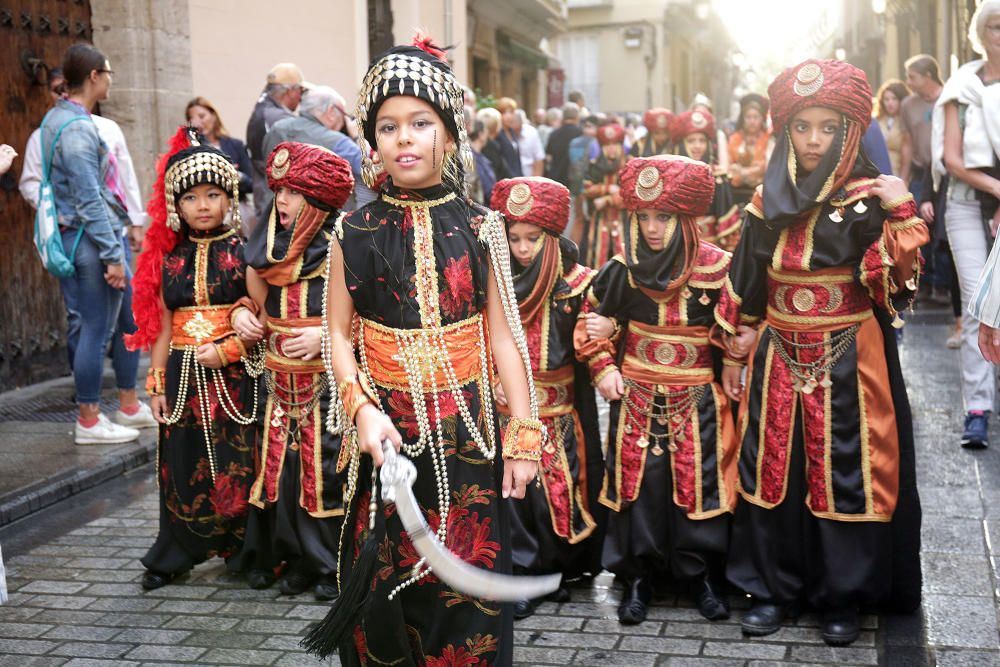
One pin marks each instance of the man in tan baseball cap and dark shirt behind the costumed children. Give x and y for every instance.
(280, 98)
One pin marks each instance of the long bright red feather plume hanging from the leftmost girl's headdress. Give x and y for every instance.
(160, 239)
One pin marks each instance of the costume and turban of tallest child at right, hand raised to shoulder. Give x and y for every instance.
(825, 425)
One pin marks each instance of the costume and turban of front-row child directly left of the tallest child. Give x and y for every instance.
(671, 476)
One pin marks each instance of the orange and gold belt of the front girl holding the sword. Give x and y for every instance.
(392, 354)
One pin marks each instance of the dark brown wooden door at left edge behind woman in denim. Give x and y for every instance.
(33, 34)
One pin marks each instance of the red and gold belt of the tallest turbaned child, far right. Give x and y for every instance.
(821, 300)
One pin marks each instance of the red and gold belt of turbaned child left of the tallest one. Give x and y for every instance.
(667, 355)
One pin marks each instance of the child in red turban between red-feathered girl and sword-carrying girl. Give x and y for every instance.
(297, 494)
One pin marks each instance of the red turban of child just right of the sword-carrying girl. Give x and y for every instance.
(534, 200)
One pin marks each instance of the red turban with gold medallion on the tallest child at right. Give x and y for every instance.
(834, 84)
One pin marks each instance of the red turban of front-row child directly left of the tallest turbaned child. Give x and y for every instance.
(667, 183)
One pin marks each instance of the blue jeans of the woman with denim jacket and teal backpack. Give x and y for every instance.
(93, 307)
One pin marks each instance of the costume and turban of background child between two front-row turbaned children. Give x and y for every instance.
(602, 237)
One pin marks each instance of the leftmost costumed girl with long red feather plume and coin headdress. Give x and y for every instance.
(202, 379)
